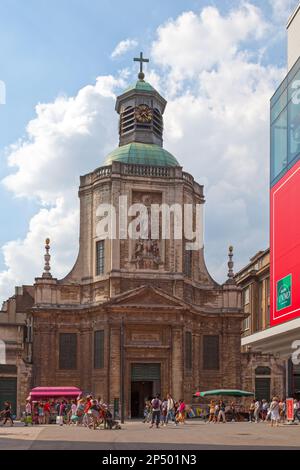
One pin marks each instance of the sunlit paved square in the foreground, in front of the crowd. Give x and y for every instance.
(135, 435)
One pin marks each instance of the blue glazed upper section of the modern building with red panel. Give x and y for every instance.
(285, 125)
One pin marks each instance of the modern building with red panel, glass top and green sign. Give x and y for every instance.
(283, 338)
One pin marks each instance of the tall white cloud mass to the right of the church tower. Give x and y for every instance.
(217, 121)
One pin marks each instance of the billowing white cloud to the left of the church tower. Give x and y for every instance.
(66, 139)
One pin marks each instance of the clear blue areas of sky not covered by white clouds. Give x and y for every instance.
(53, 48)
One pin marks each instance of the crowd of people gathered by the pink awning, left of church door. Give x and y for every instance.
(84, 411)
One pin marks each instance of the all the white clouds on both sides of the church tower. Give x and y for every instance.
(216, 124)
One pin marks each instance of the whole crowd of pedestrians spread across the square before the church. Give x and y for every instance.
(92, 413)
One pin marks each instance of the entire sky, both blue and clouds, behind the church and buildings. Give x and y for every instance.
(63, 64)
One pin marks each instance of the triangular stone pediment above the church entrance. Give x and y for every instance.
(148, 296)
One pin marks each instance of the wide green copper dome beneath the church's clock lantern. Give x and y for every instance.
(142, 154)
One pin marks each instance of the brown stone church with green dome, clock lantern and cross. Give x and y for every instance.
(136, 317)
